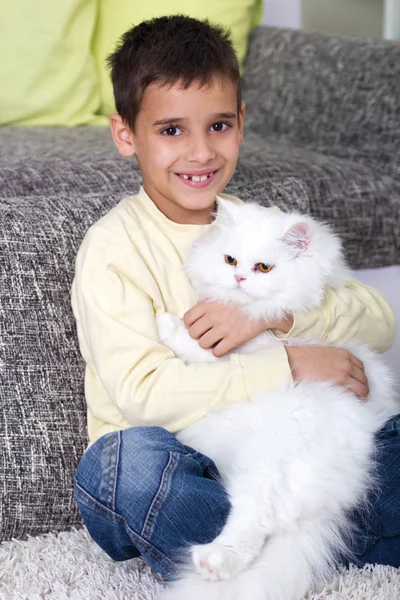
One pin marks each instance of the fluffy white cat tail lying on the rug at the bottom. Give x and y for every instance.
(289, 565)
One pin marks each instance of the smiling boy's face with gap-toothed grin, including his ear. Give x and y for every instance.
(187, 145)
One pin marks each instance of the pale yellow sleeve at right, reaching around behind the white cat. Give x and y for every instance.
(354, 311)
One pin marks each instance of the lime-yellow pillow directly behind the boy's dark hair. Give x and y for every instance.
(117, 16)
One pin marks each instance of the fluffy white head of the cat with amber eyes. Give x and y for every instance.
(257, 255)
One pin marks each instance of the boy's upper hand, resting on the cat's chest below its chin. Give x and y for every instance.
(224, 328)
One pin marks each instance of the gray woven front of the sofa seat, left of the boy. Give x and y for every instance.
(42, 406)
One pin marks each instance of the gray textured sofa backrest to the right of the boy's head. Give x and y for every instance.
(338, 96)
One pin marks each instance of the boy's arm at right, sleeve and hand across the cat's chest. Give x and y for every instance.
(354, 311)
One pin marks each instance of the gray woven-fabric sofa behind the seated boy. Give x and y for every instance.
(322, 135)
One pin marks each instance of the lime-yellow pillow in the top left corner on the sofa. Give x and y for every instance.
(47, 73)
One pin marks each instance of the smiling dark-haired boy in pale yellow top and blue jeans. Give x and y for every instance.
(177, 90)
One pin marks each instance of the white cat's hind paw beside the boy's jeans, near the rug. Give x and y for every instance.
(216, 562)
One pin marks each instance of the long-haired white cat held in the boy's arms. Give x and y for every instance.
(293, 461)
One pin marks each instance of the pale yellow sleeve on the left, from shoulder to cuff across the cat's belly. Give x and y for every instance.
(142, 378)
